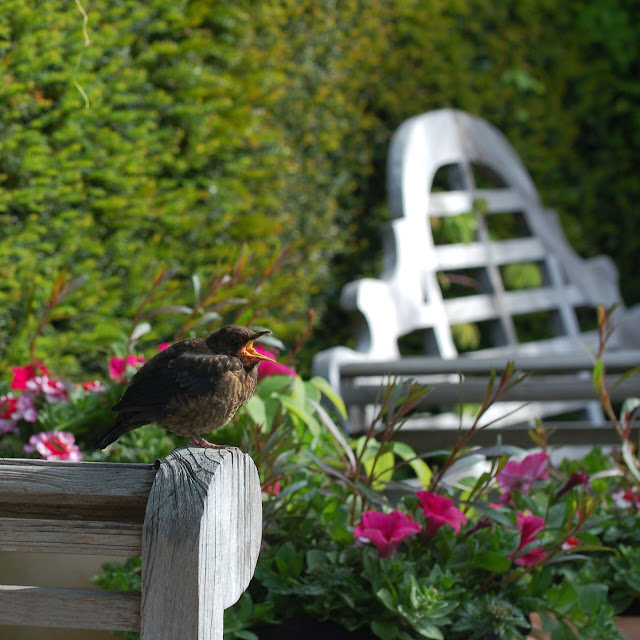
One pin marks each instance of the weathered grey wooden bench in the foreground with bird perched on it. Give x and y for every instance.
(195, 518)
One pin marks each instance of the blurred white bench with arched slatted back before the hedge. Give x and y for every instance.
(444, 164)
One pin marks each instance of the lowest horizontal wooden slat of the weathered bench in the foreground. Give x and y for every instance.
(70, 608)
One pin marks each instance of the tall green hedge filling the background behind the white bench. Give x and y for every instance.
(212, 124)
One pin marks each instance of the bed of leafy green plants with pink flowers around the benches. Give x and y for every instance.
(364, 534)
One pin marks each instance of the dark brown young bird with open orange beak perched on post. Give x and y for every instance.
(192, 387)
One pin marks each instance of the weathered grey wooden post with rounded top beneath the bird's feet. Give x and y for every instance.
(200, 542)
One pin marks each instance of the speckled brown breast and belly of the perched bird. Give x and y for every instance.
(194, 415)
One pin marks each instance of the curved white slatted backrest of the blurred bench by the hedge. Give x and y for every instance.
(511, 228)
